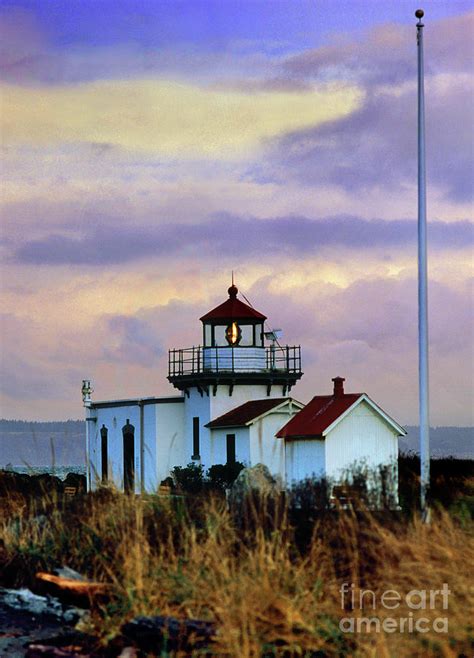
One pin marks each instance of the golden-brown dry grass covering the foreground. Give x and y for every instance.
(190, 558)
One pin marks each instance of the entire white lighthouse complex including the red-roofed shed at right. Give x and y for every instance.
(234, 405)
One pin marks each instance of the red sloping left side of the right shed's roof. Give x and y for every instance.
(318, 415)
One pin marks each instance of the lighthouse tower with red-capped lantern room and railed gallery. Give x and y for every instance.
(233, 366)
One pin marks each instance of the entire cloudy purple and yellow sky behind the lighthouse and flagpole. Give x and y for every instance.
(150, 148)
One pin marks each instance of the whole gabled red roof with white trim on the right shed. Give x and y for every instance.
(324, 412)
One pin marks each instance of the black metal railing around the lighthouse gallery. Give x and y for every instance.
(208, 360)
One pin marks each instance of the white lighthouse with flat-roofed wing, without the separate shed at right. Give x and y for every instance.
(135, 443)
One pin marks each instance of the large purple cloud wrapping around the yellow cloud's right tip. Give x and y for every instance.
(375, 146)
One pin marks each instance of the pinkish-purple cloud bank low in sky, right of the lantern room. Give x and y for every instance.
(367, 333)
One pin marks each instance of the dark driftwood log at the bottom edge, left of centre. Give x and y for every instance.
(161, 633)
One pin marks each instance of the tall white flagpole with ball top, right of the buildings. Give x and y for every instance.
(422, 284)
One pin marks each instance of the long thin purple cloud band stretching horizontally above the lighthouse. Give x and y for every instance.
(228, 235)
